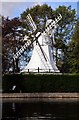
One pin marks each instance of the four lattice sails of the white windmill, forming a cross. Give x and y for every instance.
(47, 29)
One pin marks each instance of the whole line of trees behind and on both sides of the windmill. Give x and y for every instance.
(66, 38)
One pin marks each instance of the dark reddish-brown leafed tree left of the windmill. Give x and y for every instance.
(10, 42)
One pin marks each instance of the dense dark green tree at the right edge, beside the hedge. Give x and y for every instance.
(74, 51)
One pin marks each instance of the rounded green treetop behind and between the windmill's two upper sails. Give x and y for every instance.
(39, 15)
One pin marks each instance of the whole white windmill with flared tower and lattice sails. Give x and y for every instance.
(42, 59)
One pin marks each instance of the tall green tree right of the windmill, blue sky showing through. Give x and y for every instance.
(63, 34)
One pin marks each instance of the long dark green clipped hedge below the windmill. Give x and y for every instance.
(40, 83)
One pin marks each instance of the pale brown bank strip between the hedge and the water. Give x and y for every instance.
(39, 95)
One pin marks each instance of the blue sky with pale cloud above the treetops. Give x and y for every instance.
(14, 9)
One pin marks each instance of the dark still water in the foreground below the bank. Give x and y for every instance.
(39, 110)
